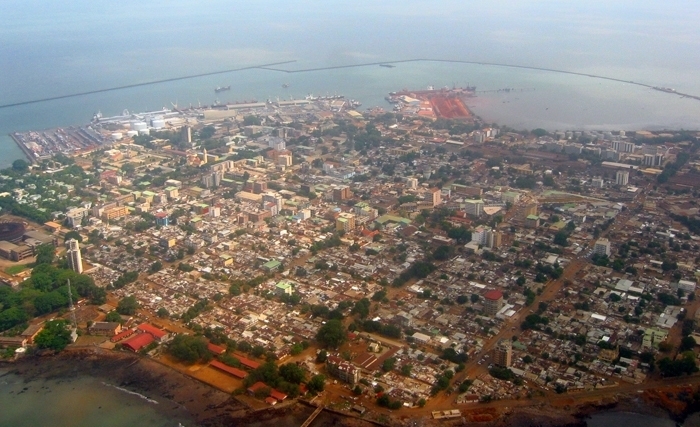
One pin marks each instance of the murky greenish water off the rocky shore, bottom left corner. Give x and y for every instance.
(79, 402)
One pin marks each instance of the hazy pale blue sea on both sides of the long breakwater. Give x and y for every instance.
(50, 49)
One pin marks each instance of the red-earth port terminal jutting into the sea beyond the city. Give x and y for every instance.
(434, 103)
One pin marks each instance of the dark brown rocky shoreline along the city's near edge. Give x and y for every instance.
(208, 407)
